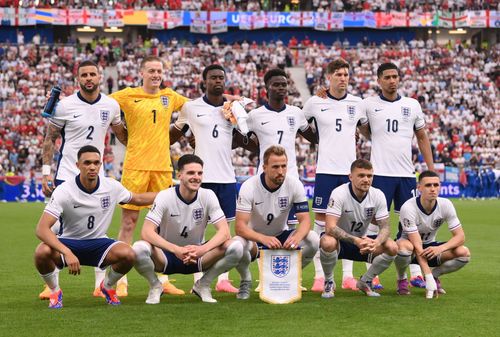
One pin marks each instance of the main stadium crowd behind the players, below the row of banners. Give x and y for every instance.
(456, 85)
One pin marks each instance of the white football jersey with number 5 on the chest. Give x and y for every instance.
(336, 121)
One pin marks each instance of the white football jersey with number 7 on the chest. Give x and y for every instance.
(277, 128)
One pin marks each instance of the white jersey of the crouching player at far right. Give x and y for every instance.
(413, 218)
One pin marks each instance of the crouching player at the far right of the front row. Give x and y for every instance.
(421, 217)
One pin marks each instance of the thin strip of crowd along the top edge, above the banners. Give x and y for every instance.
(257, 5)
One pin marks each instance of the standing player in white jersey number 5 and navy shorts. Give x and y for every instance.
(336, 119)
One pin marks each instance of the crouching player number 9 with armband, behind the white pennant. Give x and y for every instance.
(261, 215)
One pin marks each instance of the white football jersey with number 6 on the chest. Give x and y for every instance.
(214, 137)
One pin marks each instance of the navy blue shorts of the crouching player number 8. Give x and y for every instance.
(91, 252)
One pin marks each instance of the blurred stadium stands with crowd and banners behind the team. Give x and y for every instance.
(448, 52)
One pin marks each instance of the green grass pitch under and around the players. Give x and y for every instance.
(470, 308)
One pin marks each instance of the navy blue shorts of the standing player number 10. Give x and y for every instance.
(397, 189)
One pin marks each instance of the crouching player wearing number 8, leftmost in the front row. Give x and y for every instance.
(84, 206)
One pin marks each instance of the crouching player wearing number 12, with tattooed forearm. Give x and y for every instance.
(351, 209)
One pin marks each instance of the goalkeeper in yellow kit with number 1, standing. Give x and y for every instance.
(147, 166)
